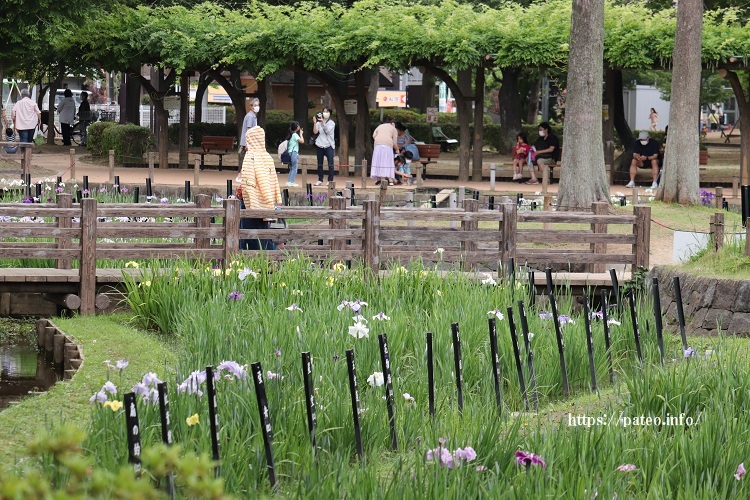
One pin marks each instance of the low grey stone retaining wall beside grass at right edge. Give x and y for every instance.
(708, 303)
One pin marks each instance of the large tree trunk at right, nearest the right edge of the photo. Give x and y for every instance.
(680, 175)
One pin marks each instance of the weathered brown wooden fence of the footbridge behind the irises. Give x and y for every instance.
(369, 234)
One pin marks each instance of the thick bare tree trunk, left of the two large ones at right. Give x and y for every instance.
(583, 179)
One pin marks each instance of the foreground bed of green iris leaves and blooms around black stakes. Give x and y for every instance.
(255, 311)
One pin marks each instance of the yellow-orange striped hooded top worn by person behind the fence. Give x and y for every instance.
(260, 185)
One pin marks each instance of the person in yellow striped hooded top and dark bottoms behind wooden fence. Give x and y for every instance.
(259, 187)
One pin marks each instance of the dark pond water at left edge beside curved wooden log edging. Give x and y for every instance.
(24, 370)
